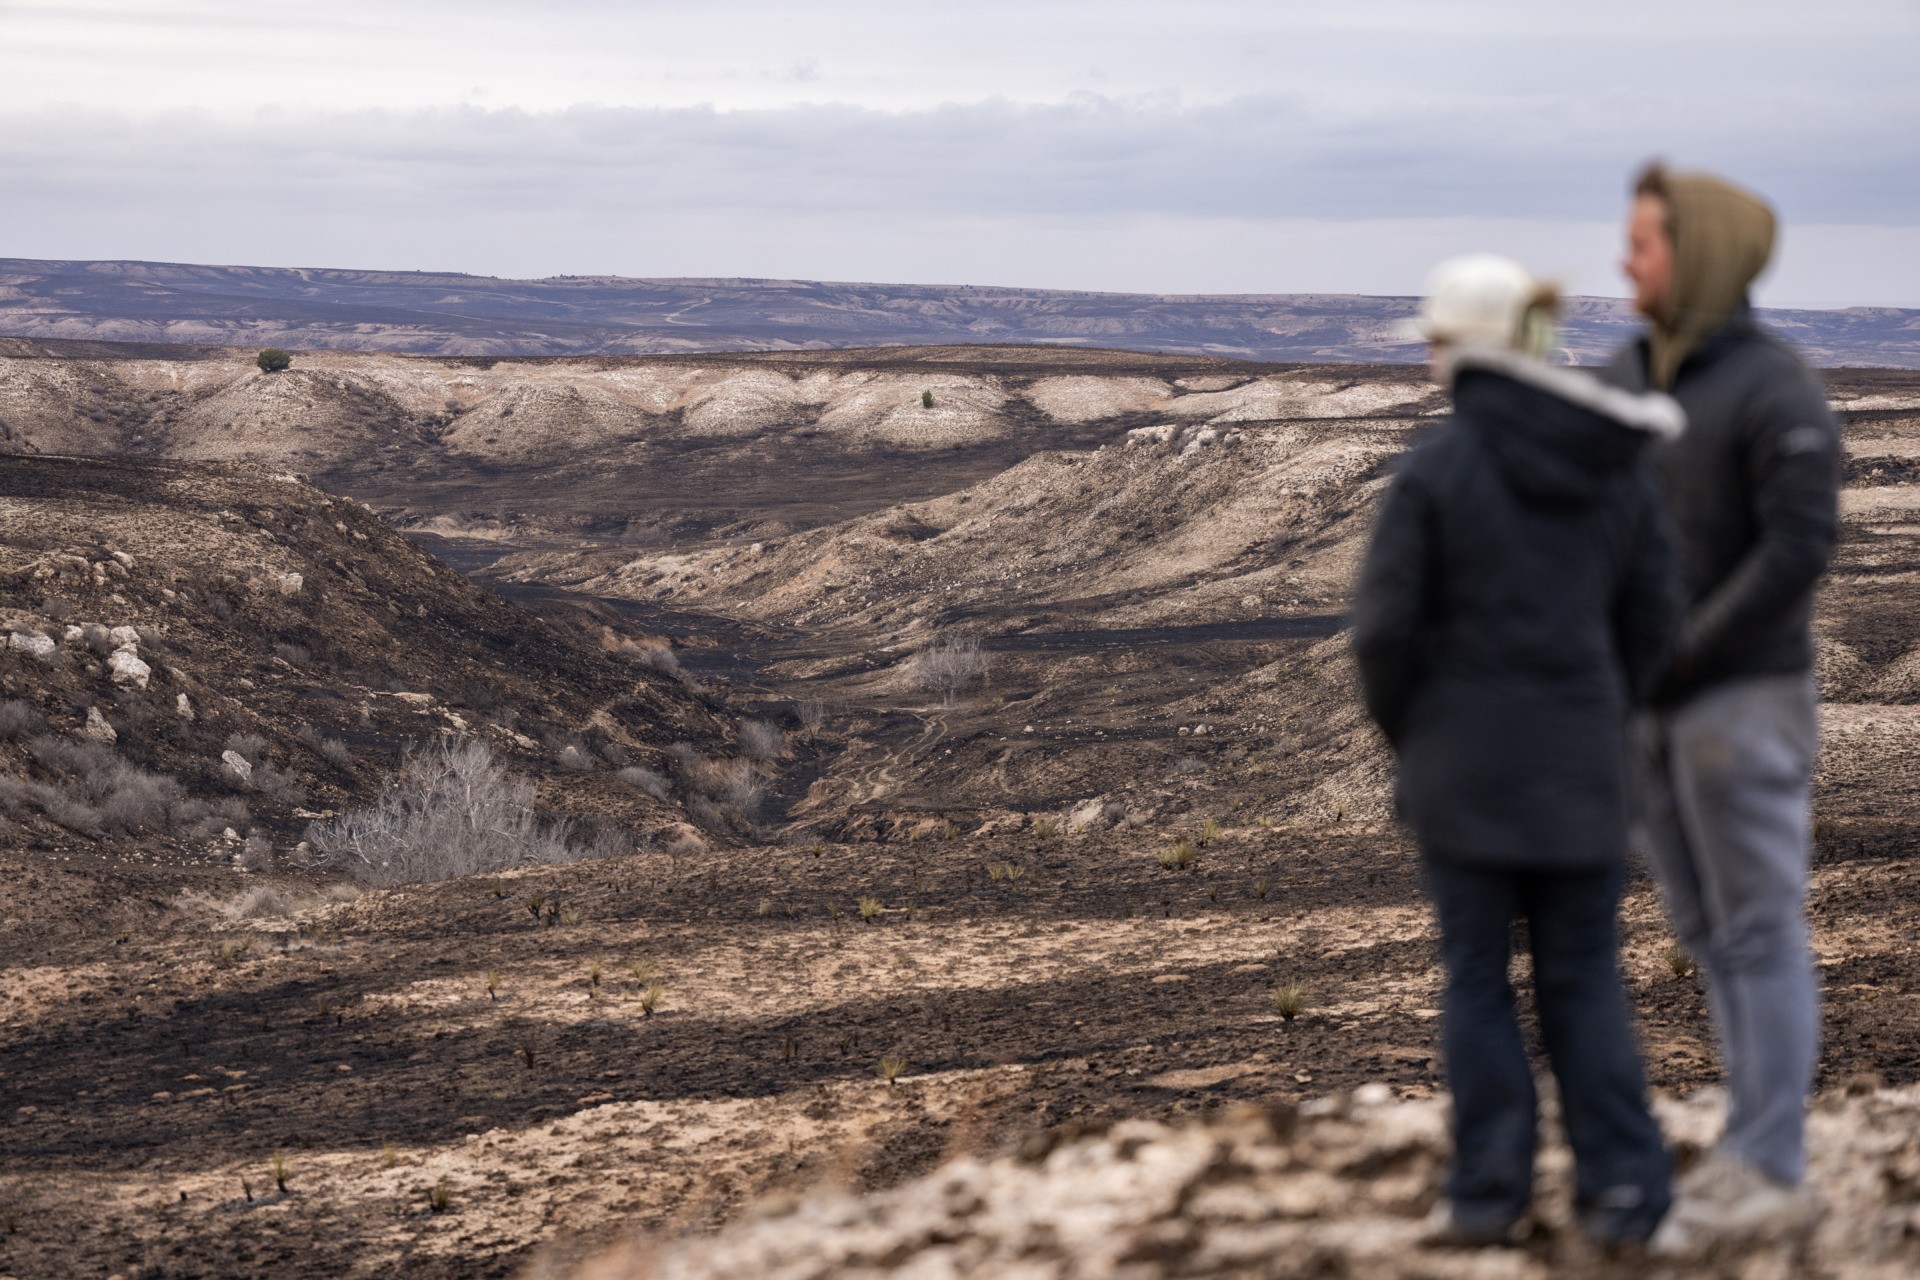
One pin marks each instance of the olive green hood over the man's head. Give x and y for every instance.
(1723, 239)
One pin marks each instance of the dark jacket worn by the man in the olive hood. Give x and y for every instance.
(1752, 498)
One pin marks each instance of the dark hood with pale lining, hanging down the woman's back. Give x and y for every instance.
(1558, 437)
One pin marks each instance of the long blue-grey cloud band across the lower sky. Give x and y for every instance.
(1276, 156)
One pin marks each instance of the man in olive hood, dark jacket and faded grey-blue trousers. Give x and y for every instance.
(1727, 755)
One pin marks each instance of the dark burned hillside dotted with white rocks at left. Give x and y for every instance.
(204, 659)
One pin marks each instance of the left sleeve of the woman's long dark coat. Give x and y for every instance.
(1393, 604)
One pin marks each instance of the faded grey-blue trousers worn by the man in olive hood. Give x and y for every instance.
(1727, 807)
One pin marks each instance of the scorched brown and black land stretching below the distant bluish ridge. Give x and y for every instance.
(982, 740)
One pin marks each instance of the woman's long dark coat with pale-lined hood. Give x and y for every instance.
(1514, 604)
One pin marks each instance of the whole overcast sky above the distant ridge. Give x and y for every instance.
(1195, 147)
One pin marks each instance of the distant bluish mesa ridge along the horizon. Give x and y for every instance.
(446, 314)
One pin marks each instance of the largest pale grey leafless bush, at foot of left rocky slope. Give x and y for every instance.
(452, 811)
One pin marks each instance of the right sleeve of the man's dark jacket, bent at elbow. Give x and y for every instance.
(1792, 463)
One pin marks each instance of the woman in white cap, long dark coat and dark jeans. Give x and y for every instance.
(1512, 609)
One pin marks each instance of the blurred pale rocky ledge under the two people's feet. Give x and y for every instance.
(1337, 1189)
